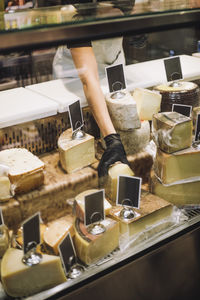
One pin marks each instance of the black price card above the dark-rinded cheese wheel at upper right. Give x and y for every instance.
(173, 68)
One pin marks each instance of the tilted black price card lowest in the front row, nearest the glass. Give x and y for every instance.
(67, 253)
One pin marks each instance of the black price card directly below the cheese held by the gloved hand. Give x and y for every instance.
(128, 191)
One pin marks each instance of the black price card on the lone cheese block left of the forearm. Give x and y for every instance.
(75, 115)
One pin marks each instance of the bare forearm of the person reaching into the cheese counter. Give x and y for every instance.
(85, 63)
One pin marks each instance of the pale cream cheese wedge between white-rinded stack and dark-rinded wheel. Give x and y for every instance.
(148, 103)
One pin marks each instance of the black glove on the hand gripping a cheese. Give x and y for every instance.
(113, 153)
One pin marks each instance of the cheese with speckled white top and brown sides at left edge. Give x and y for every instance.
(26, 170)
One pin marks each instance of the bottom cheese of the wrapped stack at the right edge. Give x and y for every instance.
(179, 194)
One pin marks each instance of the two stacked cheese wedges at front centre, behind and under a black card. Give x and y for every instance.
(90, 248)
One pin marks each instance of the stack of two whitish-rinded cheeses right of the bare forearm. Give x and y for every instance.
(134, 134)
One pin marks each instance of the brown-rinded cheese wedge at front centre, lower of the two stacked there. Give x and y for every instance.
(90, 248)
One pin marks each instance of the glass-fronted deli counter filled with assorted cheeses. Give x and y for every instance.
(148, 250)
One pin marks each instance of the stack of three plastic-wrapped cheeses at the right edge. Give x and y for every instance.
(177, 163)
